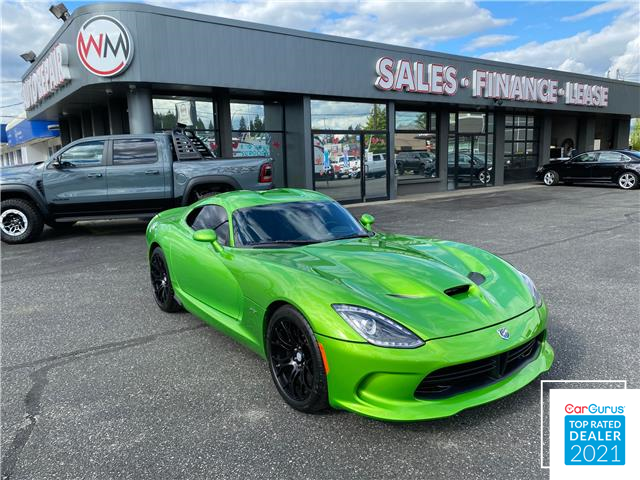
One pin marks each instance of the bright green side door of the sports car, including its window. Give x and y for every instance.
(199, 270)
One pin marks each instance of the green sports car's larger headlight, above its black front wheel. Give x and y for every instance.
(376, 328)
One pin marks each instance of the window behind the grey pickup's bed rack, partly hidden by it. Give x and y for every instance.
(198, 114)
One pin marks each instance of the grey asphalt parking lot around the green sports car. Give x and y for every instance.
(98, 383)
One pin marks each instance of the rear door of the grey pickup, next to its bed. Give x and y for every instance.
(136, 177)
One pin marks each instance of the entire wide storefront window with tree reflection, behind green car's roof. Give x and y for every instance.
(350, 150)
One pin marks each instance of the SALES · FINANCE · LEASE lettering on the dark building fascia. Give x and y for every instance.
(437, 79)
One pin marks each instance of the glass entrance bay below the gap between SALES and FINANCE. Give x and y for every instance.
(470, 150)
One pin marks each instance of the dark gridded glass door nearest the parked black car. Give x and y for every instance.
(520, 147)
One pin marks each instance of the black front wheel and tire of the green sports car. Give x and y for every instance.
(295, 361)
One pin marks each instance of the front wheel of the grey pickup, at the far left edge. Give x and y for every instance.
(20, 221)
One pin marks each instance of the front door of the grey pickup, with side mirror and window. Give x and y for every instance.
(75, 182)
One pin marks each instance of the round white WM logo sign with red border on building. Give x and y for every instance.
(104, 46)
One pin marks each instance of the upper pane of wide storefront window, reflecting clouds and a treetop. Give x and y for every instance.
(331, 115)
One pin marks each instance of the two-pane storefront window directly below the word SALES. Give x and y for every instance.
(416, 153)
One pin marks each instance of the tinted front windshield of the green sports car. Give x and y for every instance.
(293, 224)
